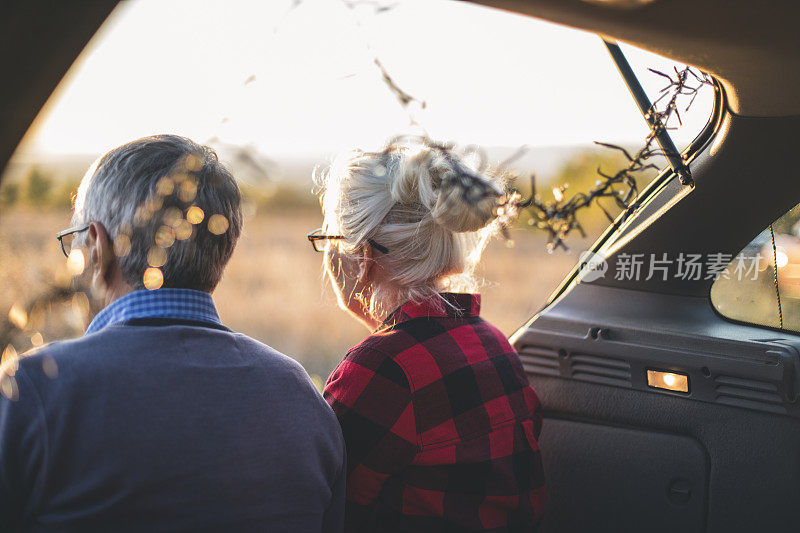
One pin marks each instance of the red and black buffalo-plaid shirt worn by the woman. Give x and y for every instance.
(440, 424)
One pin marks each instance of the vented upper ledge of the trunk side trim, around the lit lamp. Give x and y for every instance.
(592, 346)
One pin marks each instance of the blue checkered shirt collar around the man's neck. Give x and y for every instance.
(186, 304)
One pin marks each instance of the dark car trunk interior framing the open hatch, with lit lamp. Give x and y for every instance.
(663, 411)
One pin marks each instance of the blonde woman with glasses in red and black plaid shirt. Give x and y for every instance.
(439, 421)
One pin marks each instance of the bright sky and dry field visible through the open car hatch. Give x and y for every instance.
(277, 88)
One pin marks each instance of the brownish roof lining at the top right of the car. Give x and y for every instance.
(750, 48)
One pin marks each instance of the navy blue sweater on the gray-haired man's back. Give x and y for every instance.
(167, 425)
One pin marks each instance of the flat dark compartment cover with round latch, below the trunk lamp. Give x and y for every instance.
(672, 471)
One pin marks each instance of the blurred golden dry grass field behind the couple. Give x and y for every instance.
(273, 289)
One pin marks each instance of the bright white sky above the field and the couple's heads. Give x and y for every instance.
(298, 77)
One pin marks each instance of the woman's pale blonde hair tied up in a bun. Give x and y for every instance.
(416, 199)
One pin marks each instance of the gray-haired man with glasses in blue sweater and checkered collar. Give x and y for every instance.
(160, 418)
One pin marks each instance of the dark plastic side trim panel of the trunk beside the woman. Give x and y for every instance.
(626, 453)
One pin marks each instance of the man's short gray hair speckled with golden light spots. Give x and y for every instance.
(166, 203)
